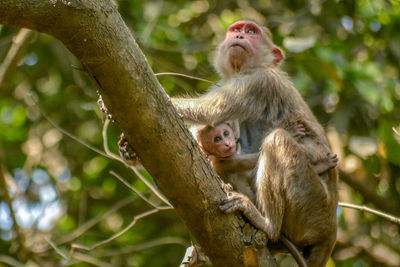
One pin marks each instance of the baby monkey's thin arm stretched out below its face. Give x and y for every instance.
(235, 163)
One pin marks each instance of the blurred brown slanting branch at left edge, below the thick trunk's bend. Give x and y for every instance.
(17, 50)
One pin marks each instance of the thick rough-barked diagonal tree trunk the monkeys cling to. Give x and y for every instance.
(96, 34)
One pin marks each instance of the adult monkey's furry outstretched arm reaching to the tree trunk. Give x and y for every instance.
(242, 98)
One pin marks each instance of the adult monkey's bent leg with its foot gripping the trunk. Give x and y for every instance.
(273, 170)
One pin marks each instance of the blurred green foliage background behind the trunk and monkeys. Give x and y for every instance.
(343, 57)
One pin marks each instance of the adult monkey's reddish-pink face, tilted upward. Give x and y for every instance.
(243, 38)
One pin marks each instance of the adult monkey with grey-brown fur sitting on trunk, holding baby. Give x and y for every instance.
(292, 199)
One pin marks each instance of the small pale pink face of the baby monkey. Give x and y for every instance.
(220, 141)
